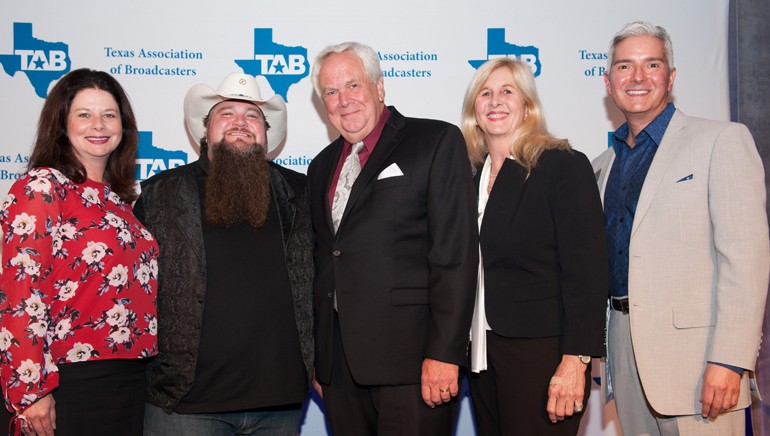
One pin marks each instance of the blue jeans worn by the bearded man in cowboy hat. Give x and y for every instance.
(268, 423)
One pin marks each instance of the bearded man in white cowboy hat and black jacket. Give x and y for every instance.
(235, 274)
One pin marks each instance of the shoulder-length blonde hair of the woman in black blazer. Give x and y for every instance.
(531, 137)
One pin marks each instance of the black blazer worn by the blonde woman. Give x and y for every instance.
(544, 252)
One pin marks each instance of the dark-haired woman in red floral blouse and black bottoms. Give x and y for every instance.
(78, 281)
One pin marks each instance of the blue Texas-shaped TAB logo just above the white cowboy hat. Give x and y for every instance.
(282, 65)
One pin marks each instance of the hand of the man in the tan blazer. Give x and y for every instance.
(721, 387)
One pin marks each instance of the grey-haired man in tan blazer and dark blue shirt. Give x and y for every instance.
(687, 233)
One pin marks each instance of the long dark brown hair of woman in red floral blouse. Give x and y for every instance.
(52, 147)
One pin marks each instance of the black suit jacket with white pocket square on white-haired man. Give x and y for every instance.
(404, 260)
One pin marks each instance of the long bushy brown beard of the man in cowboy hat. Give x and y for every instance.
(237, 186)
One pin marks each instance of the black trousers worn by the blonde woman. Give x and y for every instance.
(510, 398)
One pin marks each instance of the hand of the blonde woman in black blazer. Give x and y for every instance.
(565, 392)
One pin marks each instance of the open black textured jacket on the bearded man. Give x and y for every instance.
(169, 207)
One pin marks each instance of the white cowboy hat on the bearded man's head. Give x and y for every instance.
(237, 86)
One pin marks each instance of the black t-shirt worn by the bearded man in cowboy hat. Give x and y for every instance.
(249, 355)
